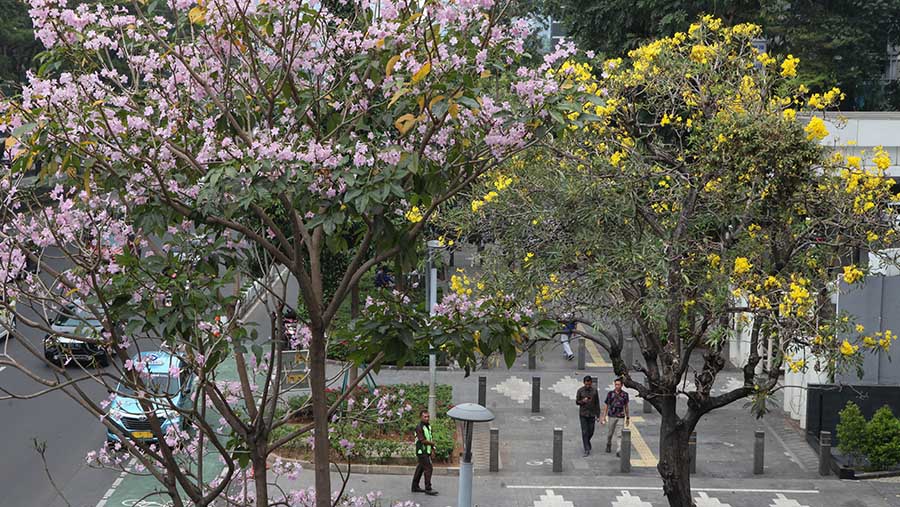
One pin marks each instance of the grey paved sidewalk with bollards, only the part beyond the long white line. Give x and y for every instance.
(724, 441)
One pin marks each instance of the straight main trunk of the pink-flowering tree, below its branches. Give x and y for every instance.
(321, 453)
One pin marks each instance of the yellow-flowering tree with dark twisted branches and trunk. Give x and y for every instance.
(691, 193)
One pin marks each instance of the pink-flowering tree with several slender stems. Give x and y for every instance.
(189, 145)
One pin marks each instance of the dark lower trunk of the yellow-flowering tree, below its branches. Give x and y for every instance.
(674, 461)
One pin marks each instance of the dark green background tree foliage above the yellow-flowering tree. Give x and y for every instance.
(841, 43)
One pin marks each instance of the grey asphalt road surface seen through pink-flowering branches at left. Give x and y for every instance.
(68, 430)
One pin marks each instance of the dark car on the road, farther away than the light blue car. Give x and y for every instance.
(60, 347)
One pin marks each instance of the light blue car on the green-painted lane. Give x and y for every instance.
(164, 391)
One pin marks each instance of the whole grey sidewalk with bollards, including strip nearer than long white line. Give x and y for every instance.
(724, 475)
